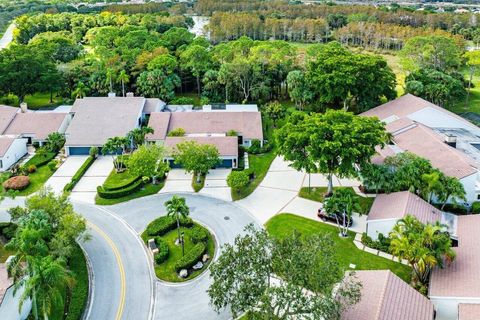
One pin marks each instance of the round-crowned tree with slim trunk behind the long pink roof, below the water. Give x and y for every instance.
(197, 59)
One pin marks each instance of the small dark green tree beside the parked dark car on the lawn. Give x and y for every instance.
(342, 204)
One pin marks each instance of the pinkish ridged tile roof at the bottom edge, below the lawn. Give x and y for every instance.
(384, 296)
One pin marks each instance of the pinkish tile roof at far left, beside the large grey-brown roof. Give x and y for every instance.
(40, 124)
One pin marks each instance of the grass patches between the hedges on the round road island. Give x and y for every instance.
(166, 270)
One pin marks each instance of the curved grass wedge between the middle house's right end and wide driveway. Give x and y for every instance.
(259, 164)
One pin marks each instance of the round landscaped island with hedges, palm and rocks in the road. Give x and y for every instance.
(199, 248)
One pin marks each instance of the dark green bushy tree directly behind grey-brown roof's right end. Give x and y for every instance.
(158, 84)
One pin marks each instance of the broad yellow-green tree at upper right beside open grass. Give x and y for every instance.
(431, 52)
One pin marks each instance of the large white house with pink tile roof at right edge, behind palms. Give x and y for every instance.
(450, 142)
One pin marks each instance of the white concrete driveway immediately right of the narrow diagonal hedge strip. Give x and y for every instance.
(86, 188)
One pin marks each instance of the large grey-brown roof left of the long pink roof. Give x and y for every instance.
(98, 118)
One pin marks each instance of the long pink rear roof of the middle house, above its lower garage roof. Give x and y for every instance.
(248, 124)
